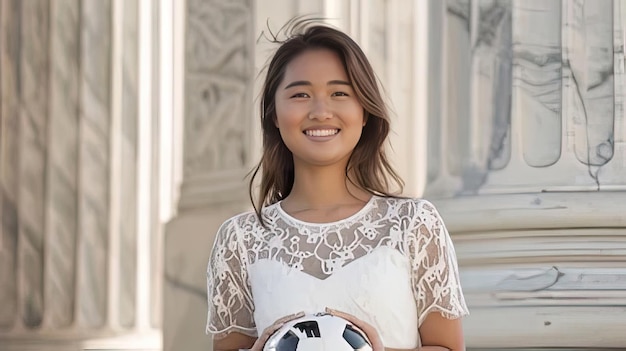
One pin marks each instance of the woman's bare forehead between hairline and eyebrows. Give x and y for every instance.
(315, 64)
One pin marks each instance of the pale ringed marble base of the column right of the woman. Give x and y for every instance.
(541, 270)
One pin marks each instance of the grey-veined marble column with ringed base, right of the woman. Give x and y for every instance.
(527, 163)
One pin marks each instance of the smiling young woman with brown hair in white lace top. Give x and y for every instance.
(327, 233)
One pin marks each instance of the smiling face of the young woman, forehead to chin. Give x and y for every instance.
(317, 112)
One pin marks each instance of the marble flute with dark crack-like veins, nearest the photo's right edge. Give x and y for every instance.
(589, 82)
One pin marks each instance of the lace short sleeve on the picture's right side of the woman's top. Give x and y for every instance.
(435, 274)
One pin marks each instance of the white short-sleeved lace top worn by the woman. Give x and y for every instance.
(389, 264)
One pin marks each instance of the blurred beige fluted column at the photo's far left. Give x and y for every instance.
(74, 272)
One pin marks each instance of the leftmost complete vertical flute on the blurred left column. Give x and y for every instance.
(62, 147)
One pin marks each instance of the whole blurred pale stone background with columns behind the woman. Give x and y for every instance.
(127, 128)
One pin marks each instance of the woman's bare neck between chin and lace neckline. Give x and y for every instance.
(323, 187)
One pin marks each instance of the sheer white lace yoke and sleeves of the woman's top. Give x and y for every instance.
(413, 227)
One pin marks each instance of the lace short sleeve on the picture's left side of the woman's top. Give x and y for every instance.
(230, 306)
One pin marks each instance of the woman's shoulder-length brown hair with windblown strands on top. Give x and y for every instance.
(368, 161)
